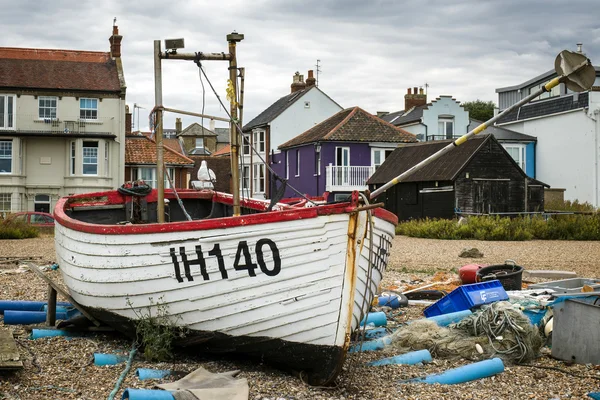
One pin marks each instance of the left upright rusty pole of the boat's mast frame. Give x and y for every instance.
(160, 180)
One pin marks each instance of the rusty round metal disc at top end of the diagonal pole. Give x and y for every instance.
(577, 70)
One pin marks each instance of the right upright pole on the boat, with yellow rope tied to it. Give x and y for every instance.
(233, 38)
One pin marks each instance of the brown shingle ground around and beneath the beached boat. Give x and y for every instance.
(57, 368)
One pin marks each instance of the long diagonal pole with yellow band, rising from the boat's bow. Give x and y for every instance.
(464, 138)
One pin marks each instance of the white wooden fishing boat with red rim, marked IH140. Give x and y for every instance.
(287, 285)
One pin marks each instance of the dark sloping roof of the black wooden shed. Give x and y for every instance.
(444, 168)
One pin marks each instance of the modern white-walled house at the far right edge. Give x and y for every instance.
(567, 127)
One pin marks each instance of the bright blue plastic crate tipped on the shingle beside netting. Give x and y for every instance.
(466, 297)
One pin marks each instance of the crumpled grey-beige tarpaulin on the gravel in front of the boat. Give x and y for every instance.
(204, 385)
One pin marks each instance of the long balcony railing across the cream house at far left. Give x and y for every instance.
(68, 124)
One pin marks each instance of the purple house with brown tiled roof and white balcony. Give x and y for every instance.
(339, 154)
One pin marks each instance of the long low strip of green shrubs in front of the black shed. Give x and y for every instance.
(553, 227)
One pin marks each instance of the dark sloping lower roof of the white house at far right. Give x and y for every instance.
(545, 107)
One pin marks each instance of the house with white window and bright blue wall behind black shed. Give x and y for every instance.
(521, 147)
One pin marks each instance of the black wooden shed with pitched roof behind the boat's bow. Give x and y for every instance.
(478, 177)
